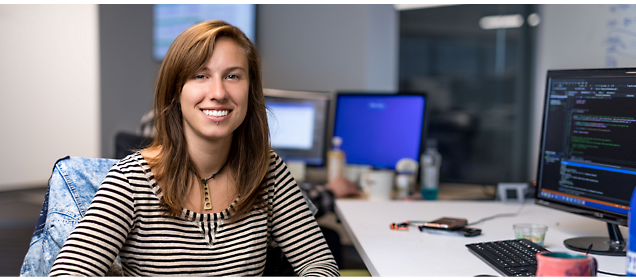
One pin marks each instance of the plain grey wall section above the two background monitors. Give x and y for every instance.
(329, 47)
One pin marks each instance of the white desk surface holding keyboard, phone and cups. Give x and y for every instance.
(389, 252)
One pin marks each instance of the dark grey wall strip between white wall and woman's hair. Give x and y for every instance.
(128, 70)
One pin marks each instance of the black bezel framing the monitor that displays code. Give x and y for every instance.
(594, 213)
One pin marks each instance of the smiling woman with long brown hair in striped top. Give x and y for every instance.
(208, 195)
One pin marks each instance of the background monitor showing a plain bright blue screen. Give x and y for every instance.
(380, 129)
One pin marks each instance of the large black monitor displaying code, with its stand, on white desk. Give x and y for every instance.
(587, 160)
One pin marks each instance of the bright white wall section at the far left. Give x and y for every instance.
(49, 82)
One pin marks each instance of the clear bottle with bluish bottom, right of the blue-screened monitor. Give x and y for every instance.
(431, 161)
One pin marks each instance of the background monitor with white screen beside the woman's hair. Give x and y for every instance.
(298, 124)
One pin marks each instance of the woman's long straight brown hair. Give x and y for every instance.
(249, 153)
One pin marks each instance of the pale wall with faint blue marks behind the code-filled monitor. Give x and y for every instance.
(579, 36)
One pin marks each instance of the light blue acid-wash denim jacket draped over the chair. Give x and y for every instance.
(72, 186)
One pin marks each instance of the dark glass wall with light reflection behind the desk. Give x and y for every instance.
(475, 64)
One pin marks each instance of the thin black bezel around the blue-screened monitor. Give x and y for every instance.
(424, 95)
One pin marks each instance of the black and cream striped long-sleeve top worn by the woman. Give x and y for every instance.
(125, 219)
